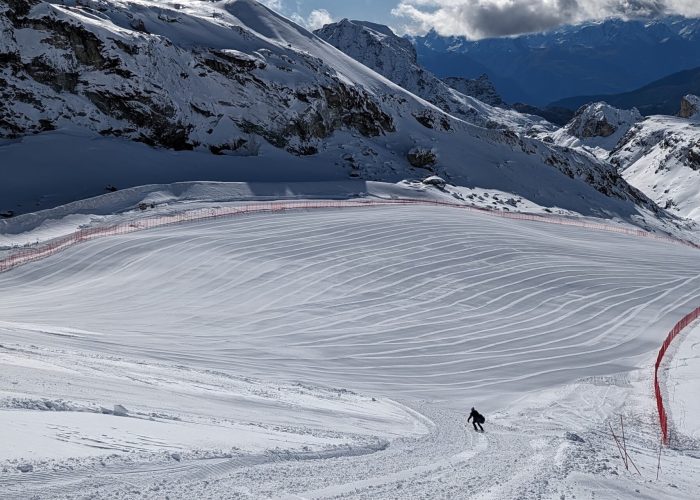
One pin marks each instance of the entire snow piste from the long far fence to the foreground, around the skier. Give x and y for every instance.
(335, 353)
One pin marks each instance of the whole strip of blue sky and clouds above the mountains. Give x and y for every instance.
(477, 18)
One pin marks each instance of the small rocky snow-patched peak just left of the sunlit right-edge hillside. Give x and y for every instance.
(597, 127)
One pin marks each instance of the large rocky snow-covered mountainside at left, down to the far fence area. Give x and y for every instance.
(235, 78)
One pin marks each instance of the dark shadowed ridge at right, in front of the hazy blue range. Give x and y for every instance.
(658, 98)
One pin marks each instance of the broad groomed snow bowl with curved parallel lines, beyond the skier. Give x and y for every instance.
(422, 300)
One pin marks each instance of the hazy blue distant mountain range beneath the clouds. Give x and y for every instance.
(607, 57)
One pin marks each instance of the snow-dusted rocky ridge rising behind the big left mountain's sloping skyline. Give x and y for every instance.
(395, 58)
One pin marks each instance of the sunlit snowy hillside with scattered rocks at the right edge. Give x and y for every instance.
(661, 157)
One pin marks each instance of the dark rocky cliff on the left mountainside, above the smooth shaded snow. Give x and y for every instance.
(112, 68)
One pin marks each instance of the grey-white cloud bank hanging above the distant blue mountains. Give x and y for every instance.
(483, 18)
